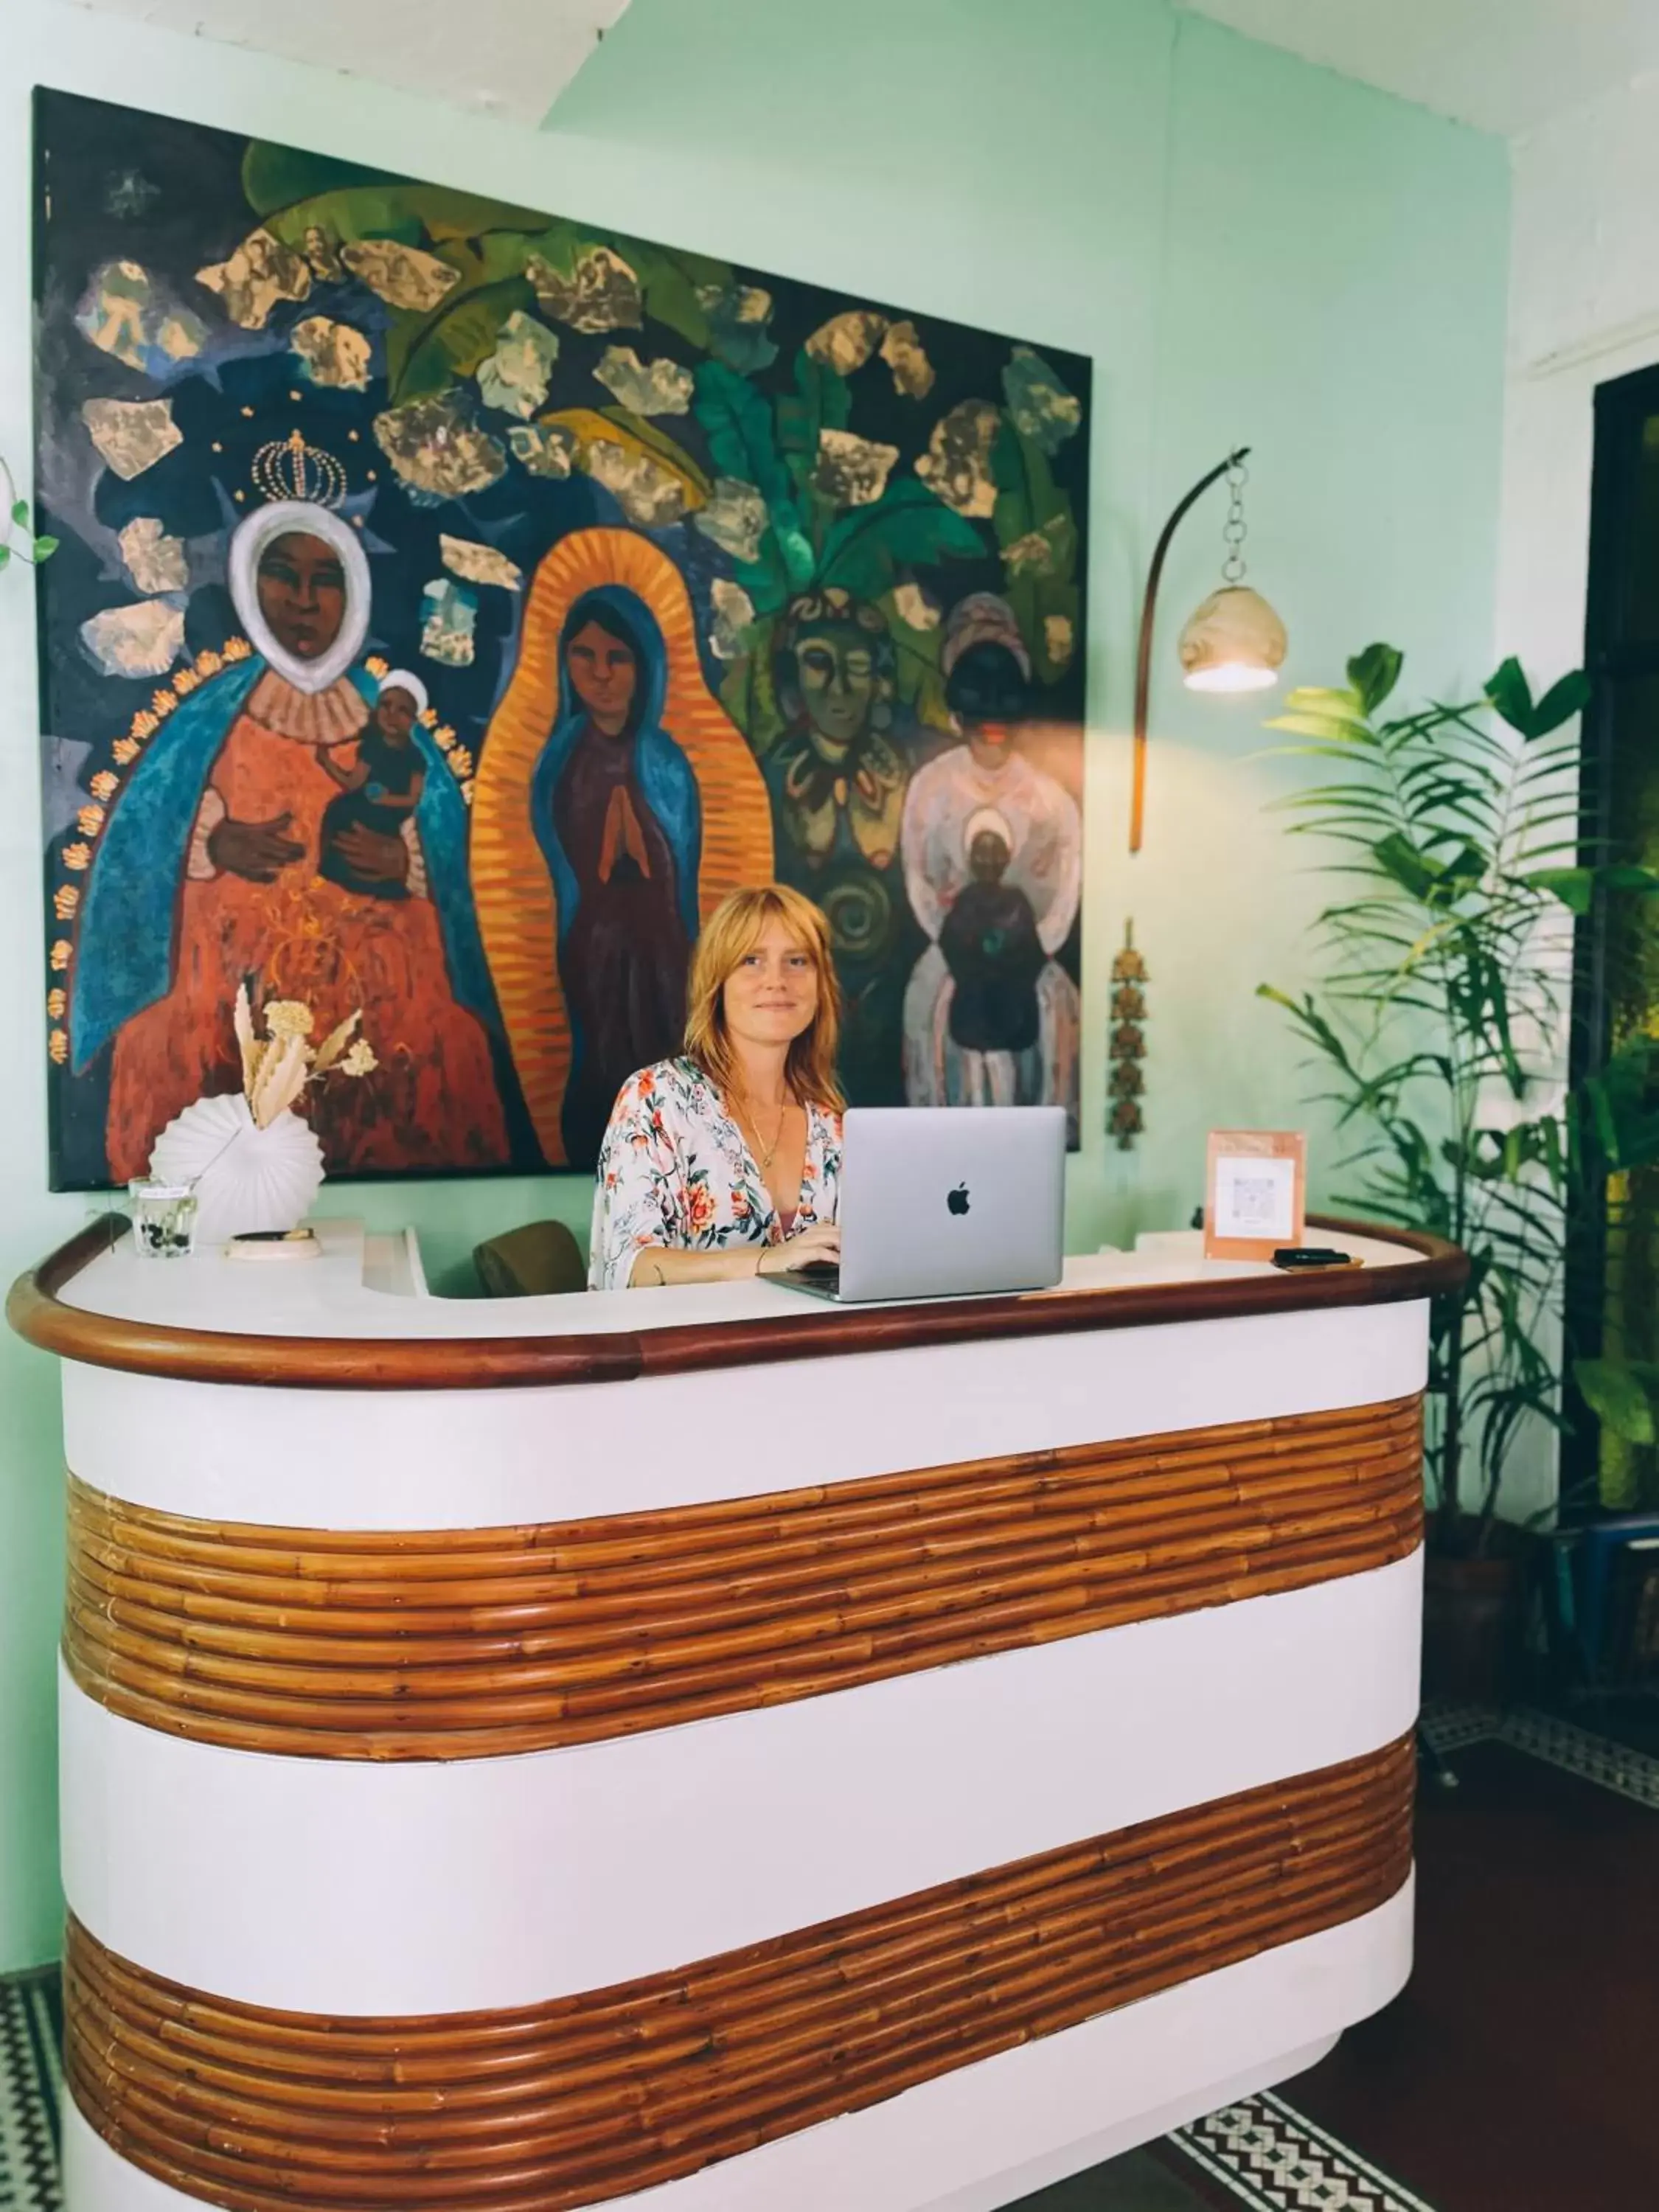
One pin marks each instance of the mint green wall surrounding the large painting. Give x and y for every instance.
(1251, 251)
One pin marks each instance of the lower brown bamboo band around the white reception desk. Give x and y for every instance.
(620, 2089)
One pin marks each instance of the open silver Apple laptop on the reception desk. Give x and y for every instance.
(946, 1202)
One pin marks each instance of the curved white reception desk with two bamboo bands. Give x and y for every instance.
(713, 1751)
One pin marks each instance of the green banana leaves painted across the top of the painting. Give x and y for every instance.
(501, 260)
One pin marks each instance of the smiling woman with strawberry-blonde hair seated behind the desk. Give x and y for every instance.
(727, 1162)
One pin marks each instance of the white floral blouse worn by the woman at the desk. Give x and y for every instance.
(676, 1171)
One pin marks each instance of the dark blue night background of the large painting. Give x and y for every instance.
(123, 185)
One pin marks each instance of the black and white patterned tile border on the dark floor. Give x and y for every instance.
(1260, 2153)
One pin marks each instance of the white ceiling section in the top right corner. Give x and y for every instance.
(1499, 65)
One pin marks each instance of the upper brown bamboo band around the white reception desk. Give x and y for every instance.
(486, 1642)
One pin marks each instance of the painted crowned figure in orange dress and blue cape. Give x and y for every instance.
(209, 873)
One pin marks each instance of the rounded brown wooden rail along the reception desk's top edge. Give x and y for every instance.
(39, 1313)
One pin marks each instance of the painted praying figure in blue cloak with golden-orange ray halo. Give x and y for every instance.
(616, 806)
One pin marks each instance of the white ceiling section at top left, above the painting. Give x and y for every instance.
(508, 59)
